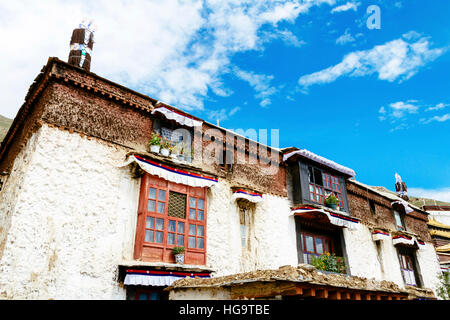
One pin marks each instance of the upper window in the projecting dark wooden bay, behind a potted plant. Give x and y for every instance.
(321, 184)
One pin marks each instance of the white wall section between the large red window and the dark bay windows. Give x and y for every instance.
(272, 238)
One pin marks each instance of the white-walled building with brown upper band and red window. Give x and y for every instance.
(87, 212)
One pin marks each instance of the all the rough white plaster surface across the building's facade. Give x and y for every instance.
(68, 218)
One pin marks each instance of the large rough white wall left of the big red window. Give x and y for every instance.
(75, 221)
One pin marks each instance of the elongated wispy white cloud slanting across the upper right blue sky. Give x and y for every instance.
(397, 59)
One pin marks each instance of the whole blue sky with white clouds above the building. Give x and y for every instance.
(375, 100)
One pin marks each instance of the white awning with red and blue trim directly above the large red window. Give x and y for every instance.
(172, 174)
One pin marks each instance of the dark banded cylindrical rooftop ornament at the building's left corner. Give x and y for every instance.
(81, 45)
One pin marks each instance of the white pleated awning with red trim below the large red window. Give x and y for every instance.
(157, 278)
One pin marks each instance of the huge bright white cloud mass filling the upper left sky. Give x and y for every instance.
(175, 51)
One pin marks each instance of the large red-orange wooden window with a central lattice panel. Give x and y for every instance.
(170, 215)
